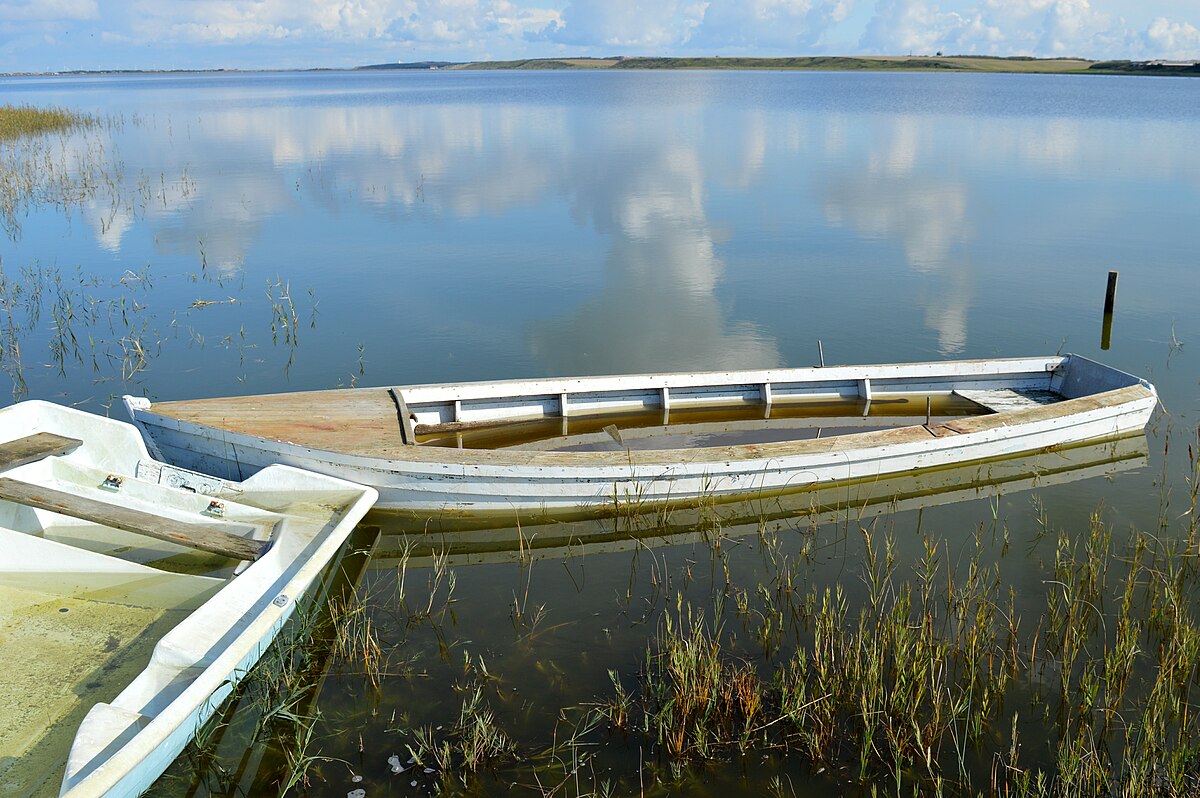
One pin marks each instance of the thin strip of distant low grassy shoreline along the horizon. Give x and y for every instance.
(961, 64)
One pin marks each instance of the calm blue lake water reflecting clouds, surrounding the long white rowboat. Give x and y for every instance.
(259, 233)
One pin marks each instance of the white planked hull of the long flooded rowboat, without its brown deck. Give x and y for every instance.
(475, 482)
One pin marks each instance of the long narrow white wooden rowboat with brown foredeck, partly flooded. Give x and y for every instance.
(597, 445)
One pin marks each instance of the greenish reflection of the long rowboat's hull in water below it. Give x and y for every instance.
(421, 543)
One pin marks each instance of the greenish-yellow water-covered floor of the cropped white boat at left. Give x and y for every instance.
(71, 640)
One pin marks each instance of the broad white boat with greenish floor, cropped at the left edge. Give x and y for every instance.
(135, 596)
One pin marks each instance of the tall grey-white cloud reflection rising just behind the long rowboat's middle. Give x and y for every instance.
(658, 308)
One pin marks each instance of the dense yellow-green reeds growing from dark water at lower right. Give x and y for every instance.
(922, 675)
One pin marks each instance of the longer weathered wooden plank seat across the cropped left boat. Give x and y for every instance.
(194, 536)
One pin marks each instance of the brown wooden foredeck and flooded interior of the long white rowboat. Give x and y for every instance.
(626, 413)
